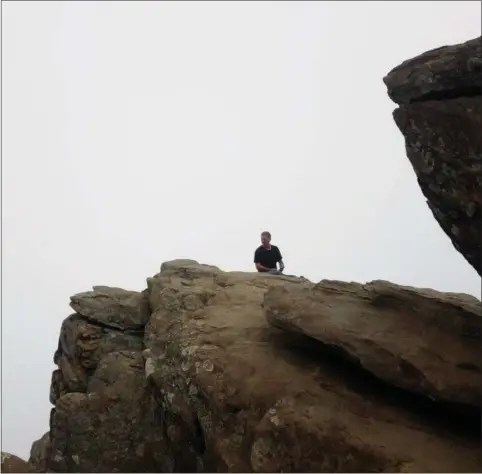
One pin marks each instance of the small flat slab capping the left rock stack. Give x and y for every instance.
(114, 307)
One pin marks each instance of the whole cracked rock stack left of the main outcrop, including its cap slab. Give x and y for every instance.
(104, 418)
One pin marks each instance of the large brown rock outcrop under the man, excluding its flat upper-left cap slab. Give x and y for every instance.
(231, 374)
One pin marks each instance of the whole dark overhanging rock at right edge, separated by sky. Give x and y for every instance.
(440, 115)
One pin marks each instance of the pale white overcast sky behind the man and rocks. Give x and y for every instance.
(135, 133)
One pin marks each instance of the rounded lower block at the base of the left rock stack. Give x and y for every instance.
(115, 427)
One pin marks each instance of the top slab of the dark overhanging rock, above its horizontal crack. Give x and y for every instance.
(445, 72)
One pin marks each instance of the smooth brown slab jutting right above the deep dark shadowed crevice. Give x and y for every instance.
(423, 341)
